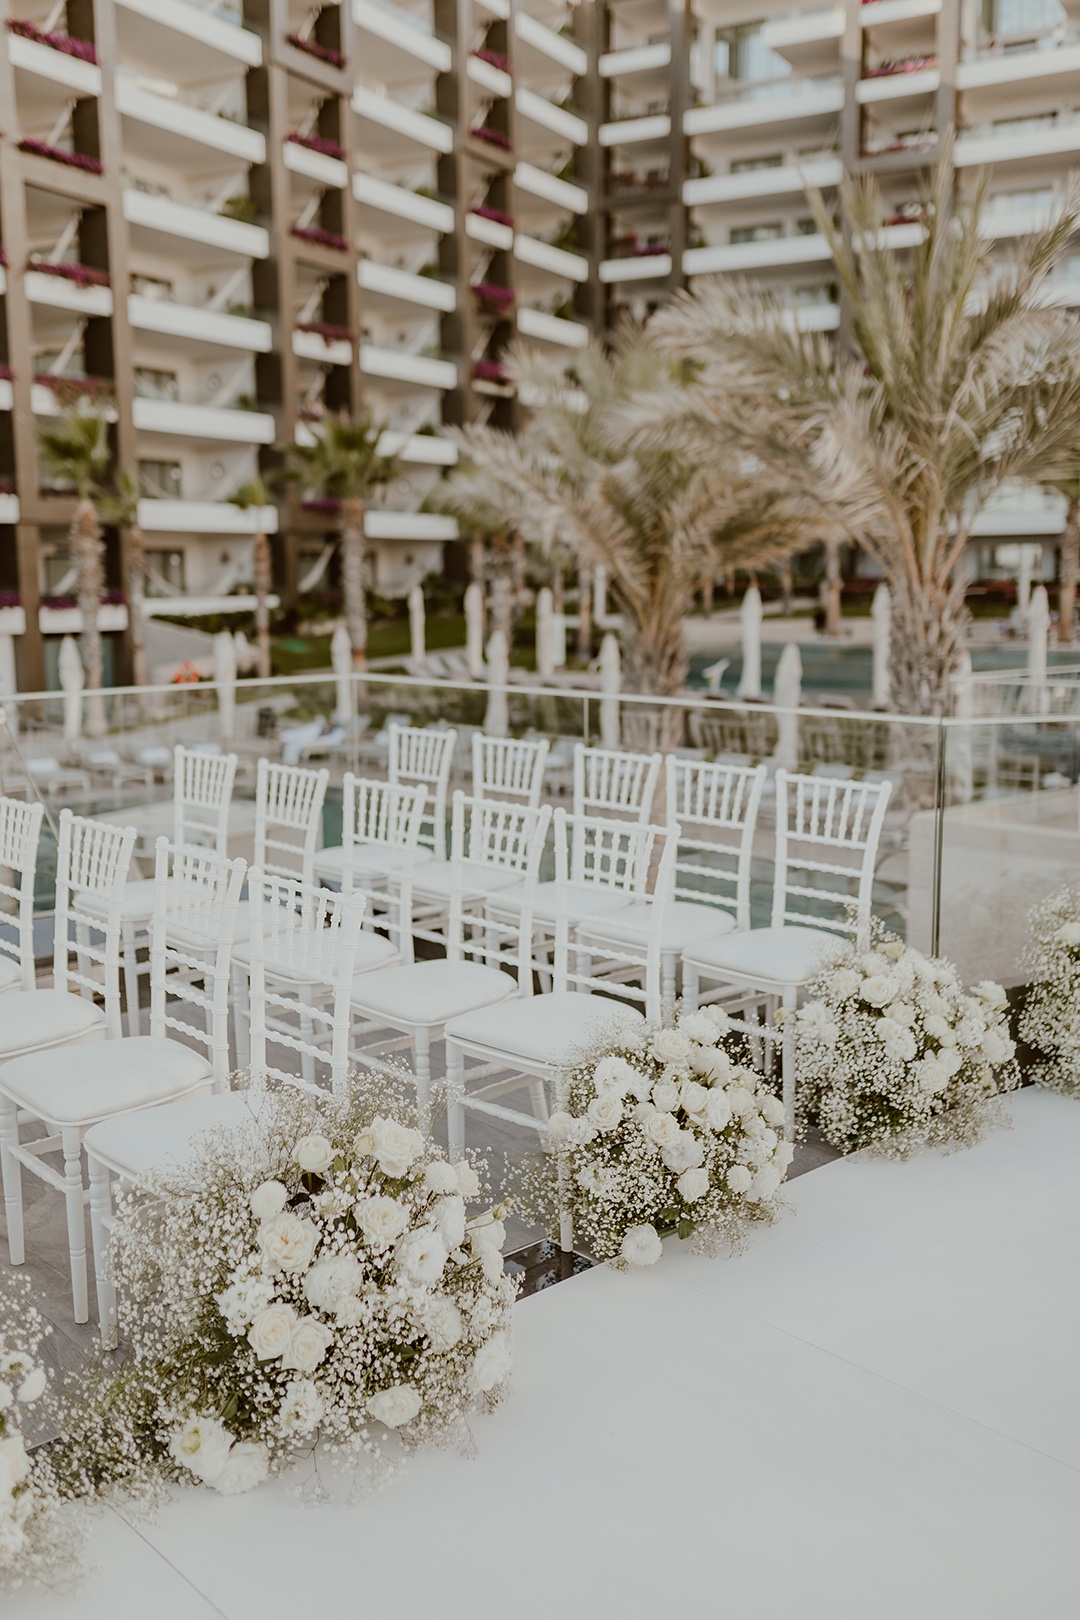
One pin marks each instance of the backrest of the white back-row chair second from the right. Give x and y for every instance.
(716, 808)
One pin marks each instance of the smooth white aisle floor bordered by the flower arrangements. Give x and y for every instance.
(872, 1413)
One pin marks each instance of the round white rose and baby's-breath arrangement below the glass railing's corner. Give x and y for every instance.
(893, 1054)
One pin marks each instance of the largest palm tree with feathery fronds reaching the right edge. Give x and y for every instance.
(956, 377)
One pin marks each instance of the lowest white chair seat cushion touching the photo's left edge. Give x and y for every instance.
(90, 1081)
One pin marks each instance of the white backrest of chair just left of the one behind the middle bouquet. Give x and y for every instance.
(512, 838)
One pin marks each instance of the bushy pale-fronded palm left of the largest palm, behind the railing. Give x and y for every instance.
(658, 519)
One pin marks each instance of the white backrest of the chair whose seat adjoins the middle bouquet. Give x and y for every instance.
(606, 855)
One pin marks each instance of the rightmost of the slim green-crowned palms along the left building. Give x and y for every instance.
(344, 463)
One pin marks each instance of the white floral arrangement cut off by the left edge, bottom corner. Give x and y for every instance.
(38, 1540)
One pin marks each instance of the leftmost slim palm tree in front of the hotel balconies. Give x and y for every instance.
(75, 453)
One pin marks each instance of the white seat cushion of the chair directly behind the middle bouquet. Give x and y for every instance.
(545, 1031)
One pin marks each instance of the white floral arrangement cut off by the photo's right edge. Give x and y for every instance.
(1052, 1018)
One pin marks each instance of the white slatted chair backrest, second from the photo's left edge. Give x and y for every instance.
(93, 861)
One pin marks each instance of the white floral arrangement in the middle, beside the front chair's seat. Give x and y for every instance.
(666, 1136)
